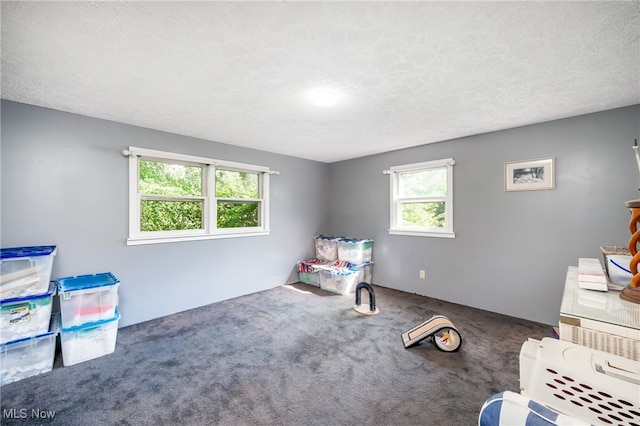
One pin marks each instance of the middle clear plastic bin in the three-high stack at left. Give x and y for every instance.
(27, 316)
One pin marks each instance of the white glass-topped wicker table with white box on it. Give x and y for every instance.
(599, 320)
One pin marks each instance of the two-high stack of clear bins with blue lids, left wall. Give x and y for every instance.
(89, 316)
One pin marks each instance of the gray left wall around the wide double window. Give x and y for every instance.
(65, 182)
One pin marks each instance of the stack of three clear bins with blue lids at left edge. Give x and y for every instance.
(28, 329)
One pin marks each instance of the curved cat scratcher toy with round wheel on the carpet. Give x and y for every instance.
(444, 335)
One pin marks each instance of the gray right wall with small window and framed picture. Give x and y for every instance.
(512, 249)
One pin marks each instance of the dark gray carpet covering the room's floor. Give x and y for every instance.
(293, 355)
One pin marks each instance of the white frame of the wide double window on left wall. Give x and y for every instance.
(210, 231)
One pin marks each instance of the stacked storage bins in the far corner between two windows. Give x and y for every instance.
(340, 264)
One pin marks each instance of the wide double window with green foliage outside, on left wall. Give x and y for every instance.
(174, 197)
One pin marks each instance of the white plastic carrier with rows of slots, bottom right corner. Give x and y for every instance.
(584, 383)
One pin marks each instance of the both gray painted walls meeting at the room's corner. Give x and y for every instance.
(64, 182)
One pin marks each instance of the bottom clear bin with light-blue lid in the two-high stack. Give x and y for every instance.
(89, 341)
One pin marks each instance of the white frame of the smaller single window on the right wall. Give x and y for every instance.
(396, 227)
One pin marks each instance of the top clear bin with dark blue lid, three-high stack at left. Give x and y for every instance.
(25, 270)
